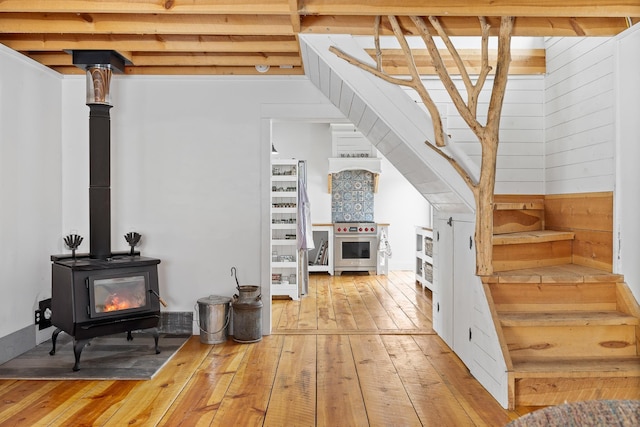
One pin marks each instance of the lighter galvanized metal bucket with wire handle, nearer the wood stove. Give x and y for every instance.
(213, 318)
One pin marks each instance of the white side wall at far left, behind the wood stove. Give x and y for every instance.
(30, 187)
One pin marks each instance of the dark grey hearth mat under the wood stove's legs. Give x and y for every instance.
(105, 358)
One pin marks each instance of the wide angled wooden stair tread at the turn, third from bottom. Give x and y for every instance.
(564, 273)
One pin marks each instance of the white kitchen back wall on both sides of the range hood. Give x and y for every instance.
(397, 202)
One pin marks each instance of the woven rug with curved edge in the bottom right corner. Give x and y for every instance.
(601, 413)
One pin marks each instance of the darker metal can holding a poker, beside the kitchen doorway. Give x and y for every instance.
(247, 314)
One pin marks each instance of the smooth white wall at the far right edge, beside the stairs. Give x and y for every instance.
(627, 202)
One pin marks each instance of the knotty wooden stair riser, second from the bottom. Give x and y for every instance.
(571, 341)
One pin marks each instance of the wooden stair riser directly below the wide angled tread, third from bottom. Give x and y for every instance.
(535, 297)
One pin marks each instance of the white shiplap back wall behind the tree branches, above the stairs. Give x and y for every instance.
(520, 167)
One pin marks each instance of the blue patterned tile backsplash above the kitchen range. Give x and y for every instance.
(352, 196)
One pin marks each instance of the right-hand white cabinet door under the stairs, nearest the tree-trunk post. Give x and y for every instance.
(464, 280)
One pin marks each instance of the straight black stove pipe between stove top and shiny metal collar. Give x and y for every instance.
(99, 181)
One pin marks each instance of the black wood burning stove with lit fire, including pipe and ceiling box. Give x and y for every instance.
(102, 293)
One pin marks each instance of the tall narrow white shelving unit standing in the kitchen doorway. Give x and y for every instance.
(284, 228)
